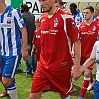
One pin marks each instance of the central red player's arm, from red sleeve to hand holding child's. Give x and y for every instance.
(74, 35)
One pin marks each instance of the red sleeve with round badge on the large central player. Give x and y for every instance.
(72, 29)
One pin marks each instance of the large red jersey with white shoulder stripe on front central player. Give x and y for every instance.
(58, 32)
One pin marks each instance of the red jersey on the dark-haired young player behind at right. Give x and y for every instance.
(89, 35)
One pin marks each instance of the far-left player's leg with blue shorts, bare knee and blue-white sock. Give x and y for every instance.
(10, 65)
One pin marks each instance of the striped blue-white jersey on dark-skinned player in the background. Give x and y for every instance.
(79, 17)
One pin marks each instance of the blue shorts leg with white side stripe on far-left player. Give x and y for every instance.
(10, 66)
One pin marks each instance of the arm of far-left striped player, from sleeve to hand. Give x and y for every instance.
(21, 26)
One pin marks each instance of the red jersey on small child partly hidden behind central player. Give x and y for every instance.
(36, 42)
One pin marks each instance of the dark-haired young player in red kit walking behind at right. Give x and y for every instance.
(89, 35)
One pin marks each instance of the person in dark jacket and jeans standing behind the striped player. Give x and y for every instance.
(29, 19)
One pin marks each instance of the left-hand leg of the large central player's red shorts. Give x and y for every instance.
(40, 81)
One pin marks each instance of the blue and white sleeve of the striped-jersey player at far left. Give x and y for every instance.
(19, 22)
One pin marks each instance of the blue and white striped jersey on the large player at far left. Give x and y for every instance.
(10, 23)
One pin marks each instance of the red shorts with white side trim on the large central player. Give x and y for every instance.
(57, 81)
